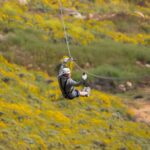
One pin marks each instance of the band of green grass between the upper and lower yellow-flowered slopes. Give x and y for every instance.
(106, 57)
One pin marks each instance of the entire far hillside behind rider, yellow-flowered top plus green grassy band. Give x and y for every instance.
(108, 38)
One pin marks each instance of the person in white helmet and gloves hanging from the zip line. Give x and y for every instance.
(67, 84)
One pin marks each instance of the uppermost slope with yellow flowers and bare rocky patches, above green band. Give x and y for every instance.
(86, 21)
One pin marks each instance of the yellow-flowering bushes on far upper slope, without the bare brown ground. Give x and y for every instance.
(82, 31)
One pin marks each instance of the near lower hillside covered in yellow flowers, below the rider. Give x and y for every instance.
(33, 115)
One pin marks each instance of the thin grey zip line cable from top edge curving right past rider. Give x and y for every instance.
(70, 55)
